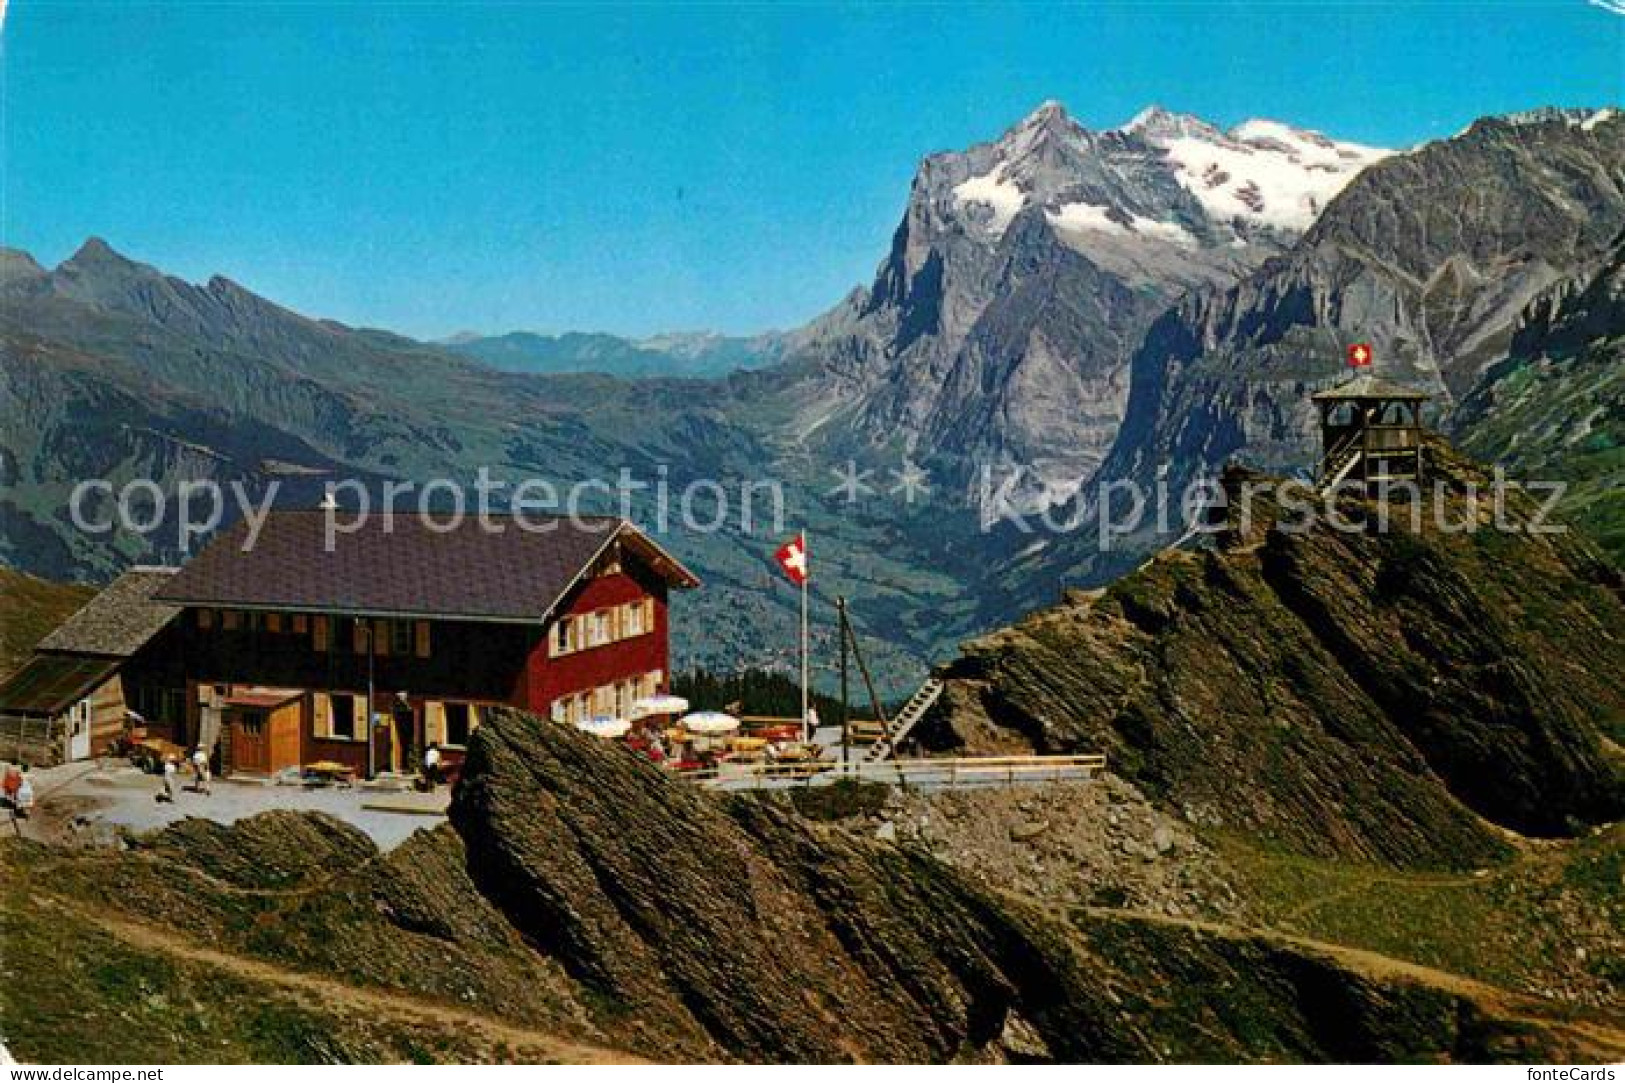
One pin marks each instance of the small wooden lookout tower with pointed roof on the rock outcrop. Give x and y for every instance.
(1371, 430)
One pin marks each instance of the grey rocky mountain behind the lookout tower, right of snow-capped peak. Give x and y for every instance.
(1431, 256)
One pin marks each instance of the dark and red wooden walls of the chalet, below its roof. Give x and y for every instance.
(427, 672)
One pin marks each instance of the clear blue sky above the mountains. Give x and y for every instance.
(433, 168)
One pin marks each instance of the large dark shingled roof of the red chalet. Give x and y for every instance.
(409, 567)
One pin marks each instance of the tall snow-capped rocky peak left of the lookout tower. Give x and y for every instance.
(1026, 271)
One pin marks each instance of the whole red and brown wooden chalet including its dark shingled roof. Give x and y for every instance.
(274, 653)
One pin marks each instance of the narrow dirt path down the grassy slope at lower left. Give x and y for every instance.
(531, 1046)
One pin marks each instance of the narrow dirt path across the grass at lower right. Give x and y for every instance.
(1606, 1040)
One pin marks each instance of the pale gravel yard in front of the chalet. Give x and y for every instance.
(90, 802)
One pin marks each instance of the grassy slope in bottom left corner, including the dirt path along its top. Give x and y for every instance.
(158, 996)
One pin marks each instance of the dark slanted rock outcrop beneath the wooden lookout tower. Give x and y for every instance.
(1393, 695)
